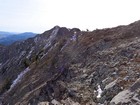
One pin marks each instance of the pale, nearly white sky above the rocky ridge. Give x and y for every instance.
(41, 15)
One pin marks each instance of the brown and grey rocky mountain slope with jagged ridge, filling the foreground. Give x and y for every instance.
(65, 66)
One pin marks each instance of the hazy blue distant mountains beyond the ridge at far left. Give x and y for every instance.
(7, 38)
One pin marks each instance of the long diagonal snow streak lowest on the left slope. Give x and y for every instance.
(20, 76)
